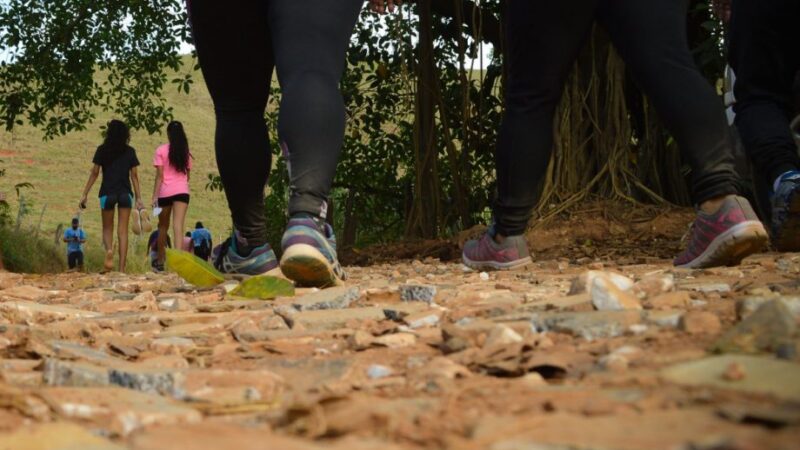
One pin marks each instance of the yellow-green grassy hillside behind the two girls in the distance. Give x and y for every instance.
(59, 168)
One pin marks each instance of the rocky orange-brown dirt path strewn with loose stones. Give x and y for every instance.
(411, 355)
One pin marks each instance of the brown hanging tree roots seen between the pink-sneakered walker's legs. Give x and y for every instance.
(595, 149)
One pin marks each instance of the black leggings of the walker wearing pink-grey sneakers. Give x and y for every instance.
(544, 38)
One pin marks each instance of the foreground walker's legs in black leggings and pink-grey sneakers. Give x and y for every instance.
(543, 39)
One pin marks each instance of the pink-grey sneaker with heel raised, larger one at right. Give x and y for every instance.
(724, 238)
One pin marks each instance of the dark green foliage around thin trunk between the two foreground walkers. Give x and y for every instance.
(378, 170)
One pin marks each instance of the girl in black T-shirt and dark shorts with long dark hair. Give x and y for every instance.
(118, 163)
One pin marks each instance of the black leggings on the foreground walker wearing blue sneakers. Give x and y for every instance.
(238, 42)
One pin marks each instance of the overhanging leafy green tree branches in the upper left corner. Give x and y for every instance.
(52, 51)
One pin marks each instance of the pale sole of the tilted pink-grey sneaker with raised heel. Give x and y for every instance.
(732, 246)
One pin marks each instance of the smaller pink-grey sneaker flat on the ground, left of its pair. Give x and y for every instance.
(486, 253)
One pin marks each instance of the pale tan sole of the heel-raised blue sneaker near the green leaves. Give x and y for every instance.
(308, 267)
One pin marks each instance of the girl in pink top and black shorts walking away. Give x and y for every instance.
(173, 164)
